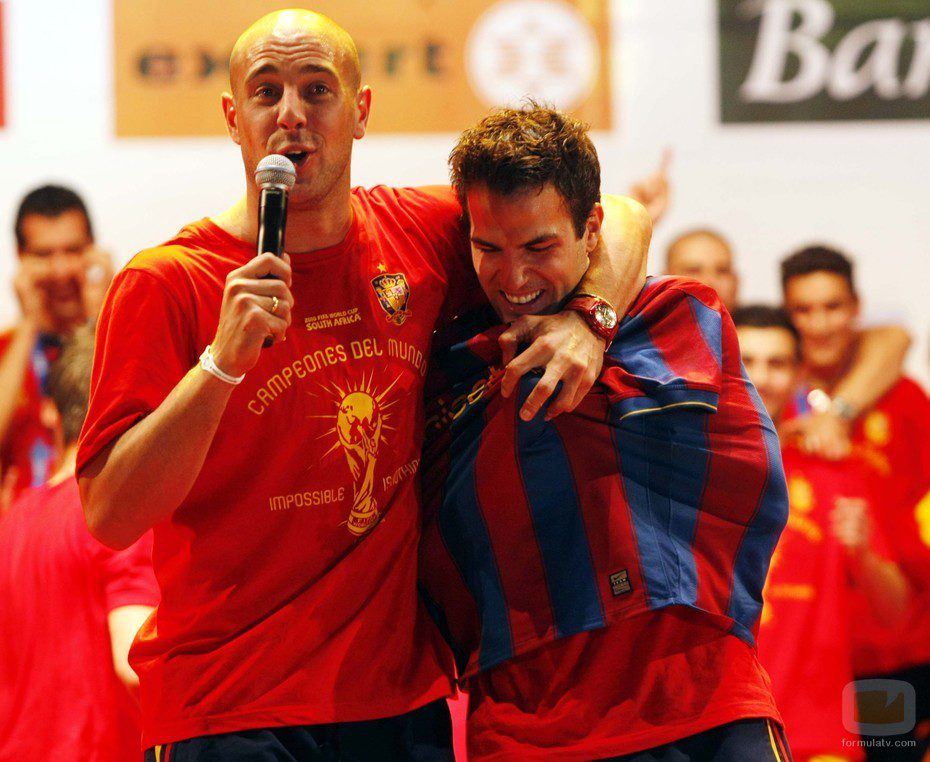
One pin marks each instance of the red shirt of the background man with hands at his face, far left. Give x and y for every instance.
(29, 444)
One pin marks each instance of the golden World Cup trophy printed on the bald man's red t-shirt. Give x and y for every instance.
(358, 425)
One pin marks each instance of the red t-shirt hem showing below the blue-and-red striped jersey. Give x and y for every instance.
(648, 680)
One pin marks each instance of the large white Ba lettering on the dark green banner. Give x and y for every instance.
(868, 57)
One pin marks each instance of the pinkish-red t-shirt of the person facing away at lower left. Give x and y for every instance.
(60, 697)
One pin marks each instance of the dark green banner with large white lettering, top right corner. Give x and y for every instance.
(822, 60)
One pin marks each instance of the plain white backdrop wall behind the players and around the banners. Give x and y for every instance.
(862, 186)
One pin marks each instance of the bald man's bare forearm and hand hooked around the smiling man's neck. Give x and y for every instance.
(564, 344)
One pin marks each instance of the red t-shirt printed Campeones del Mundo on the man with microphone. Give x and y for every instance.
(288, 574)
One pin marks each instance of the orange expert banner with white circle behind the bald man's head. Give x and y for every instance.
(433, 65)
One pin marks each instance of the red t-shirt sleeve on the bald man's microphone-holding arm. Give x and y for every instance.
(143, 349)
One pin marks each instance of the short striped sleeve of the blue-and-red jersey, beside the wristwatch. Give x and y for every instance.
(668, 352)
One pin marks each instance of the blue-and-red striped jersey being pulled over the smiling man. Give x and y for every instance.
(663, 487)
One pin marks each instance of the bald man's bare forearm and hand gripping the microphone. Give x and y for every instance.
(141, 477)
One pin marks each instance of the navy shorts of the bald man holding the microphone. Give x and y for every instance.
(423, 735)
